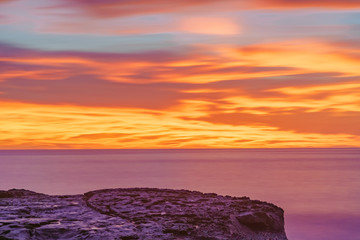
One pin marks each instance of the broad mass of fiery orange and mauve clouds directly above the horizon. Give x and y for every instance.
(293, 94)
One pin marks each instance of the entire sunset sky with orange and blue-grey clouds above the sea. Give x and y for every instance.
(179, 74)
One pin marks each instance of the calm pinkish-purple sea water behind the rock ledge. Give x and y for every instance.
(319, 189)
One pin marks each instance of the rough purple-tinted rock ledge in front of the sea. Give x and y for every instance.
(137, 213)
